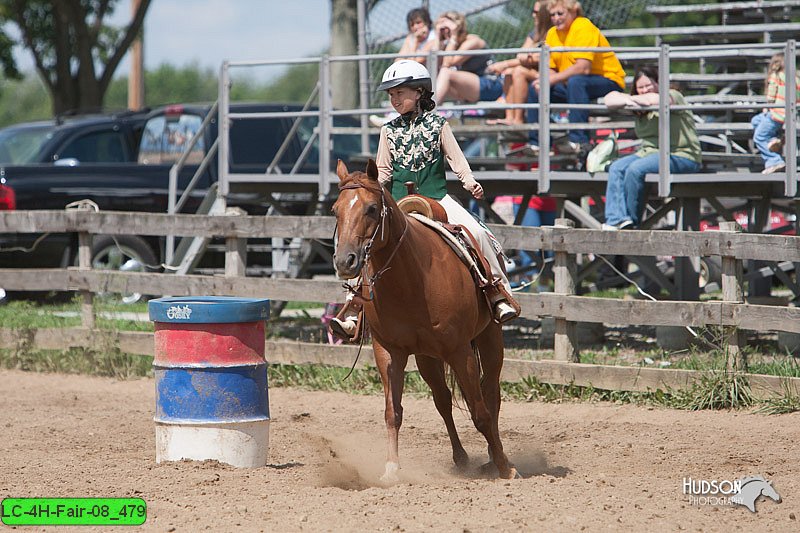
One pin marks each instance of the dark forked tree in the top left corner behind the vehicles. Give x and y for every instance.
(75, 53)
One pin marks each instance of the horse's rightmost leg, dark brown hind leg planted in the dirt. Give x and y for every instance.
(465, 365)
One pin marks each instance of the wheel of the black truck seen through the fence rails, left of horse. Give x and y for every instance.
(126, 253)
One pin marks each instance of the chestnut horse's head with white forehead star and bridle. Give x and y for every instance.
(360, 211)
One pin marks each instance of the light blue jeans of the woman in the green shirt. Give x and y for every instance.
(625, 187)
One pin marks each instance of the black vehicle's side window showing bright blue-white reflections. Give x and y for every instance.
(165, 138)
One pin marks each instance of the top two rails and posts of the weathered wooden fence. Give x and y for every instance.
(731, 313)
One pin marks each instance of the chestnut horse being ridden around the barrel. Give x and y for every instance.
(420, 300)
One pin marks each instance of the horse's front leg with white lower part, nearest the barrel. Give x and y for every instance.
(392, 368)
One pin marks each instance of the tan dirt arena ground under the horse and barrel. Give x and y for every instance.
(586, 467)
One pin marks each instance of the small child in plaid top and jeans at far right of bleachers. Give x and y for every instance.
(768, 125)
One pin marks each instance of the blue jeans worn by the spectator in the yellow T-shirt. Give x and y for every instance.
(579, 89)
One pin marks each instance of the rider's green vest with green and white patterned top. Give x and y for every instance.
(415, 146)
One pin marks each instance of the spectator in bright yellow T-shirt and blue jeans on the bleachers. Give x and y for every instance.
(575, 77)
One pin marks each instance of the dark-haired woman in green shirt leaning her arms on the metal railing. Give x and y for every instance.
(625, 191)
